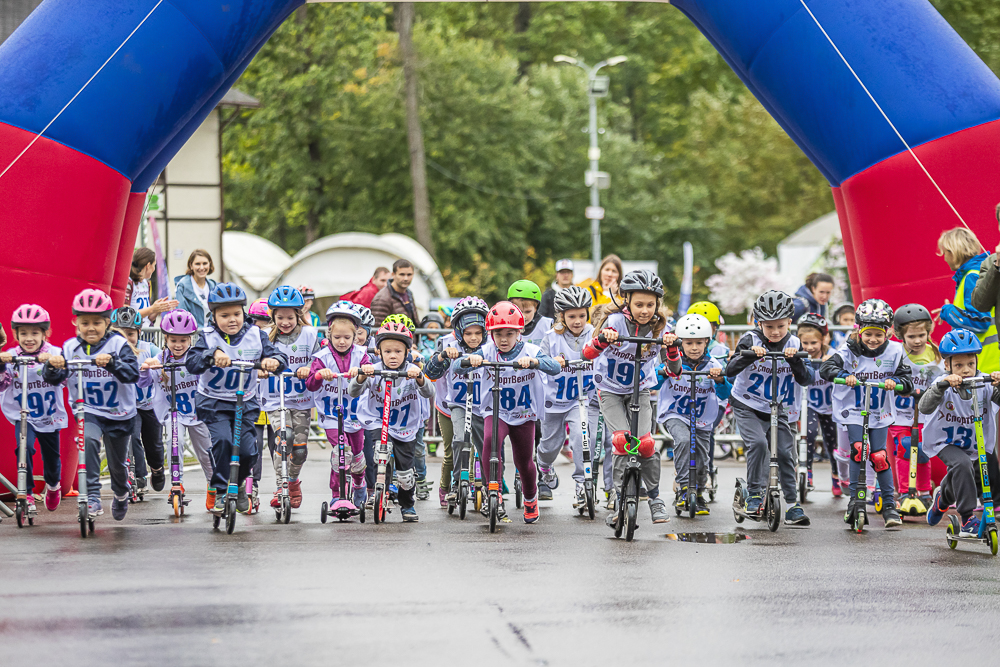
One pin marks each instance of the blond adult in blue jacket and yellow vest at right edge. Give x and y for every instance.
(960, 249)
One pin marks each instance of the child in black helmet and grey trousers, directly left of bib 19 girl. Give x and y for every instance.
(564, 342)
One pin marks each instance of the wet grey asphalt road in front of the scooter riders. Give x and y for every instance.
(154, 591)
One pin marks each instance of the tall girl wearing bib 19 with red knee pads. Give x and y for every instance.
(641, 314)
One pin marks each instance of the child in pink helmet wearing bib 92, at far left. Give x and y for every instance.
(30, 325)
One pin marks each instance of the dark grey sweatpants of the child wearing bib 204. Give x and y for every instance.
(756, 434)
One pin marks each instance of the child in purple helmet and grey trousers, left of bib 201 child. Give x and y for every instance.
(178, 326)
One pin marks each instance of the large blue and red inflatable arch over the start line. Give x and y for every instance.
(78, 150)
